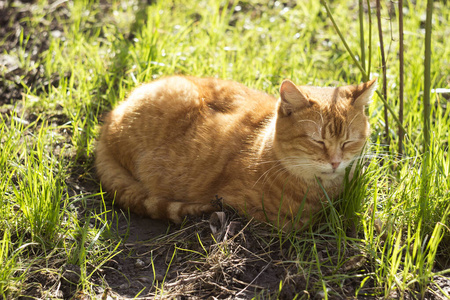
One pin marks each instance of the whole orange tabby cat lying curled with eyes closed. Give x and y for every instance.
(176, 143)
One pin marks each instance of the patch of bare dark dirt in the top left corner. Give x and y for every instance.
(14, 28)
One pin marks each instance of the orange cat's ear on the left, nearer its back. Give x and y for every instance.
(292, 98)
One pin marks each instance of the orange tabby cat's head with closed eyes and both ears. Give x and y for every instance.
(320, 131)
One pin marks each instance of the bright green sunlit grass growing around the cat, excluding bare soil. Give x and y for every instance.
(48, 138)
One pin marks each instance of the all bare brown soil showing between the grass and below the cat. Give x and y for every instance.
(221, 256)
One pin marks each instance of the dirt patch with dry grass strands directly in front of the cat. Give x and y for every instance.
(204, 259)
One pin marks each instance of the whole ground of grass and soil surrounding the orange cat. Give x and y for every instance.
(72, 61)
